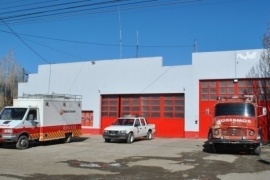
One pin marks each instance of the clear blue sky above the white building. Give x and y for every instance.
(164, 28)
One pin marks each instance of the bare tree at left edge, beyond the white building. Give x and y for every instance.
(11, 73)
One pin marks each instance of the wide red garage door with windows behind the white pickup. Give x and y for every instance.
(166, 111)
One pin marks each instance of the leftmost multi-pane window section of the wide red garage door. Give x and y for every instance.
(109, 106)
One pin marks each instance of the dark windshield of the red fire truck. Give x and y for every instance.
(238, 109)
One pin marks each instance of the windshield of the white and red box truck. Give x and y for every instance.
(13, 113)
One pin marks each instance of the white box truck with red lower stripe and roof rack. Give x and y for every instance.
(40, 117)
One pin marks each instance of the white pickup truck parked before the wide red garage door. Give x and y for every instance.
(128, 128)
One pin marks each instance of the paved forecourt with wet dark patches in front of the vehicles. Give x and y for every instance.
(160, 158)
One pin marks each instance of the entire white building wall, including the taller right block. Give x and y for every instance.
(140, 76)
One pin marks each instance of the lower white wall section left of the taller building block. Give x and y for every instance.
(125, 76)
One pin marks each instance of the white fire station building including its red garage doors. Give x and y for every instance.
(172, 97)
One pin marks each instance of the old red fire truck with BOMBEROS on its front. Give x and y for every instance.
(236, 123)
